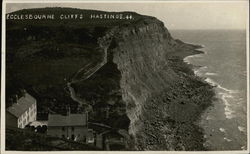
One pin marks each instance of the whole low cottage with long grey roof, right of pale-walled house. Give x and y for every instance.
(71, 126)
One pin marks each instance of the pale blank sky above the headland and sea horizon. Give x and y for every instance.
(175, 15)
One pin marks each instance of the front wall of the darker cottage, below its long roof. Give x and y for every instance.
(79, 132)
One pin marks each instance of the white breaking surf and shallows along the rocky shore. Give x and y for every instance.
(222, 108)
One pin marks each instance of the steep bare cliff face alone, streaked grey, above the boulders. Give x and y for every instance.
(141, 58)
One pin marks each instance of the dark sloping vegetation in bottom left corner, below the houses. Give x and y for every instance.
(26, 140)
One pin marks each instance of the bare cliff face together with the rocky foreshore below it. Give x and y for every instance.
(154, 86)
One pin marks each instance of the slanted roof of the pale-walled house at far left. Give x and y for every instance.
(22, 105)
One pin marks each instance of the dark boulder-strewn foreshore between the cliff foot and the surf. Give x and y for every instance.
(176, 110)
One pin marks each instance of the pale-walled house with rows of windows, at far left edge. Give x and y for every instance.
(21, 112)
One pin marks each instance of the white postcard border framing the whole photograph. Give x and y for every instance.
(2, 145)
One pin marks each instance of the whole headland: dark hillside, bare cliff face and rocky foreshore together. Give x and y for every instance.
(133, 69)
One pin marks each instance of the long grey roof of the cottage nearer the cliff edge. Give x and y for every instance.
(69, 120)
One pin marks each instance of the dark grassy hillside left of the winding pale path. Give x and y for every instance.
(43, 55)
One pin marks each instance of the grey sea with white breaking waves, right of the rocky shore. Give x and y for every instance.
(224, 66)
